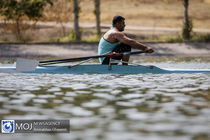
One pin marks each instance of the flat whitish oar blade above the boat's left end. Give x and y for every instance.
(23, 65)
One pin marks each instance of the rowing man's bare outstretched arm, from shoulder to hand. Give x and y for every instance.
(131, 42)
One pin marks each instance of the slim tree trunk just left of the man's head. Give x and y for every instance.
(97, 14)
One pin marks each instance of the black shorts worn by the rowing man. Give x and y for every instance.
(118, 49)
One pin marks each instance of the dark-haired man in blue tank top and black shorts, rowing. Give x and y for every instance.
(115, 40)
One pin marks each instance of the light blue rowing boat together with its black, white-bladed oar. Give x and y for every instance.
(33, 66)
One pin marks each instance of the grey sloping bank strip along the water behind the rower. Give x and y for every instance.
(79, 49)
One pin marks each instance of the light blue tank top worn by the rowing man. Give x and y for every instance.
(105, 47)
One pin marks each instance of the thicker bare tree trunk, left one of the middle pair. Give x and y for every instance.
(76, 20)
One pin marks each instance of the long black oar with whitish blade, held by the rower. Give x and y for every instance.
(30, 65)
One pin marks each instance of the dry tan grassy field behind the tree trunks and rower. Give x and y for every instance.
(56, 22)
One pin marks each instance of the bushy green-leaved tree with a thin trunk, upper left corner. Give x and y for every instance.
(15, 10)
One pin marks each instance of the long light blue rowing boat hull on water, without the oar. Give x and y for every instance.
(103, 69)
